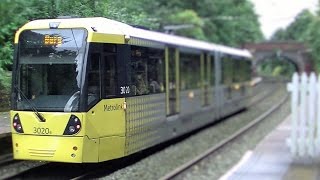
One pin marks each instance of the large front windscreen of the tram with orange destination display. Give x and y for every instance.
(48, 76)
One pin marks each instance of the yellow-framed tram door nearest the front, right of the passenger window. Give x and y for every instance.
(172, 79)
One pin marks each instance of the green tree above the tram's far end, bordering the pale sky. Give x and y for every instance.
(229, 22)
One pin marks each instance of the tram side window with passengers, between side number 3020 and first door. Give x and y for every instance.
(147, 70)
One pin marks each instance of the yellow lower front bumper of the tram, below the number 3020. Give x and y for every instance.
(55, 148)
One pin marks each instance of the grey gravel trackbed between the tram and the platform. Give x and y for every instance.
(160, 163)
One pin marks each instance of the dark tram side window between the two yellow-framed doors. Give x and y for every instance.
(190, 71)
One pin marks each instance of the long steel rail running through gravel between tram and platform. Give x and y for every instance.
(176, 172)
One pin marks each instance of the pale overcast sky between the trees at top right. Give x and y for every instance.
(275, 14)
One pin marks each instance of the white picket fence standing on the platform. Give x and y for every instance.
(304, 140)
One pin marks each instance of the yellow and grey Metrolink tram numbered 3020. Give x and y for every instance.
(94, 89)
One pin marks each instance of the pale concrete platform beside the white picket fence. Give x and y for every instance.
(271, 159)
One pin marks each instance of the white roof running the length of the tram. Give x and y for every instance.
(108, 26)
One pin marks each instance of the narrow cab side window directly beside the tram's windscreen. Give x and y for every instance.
(94, 79)
